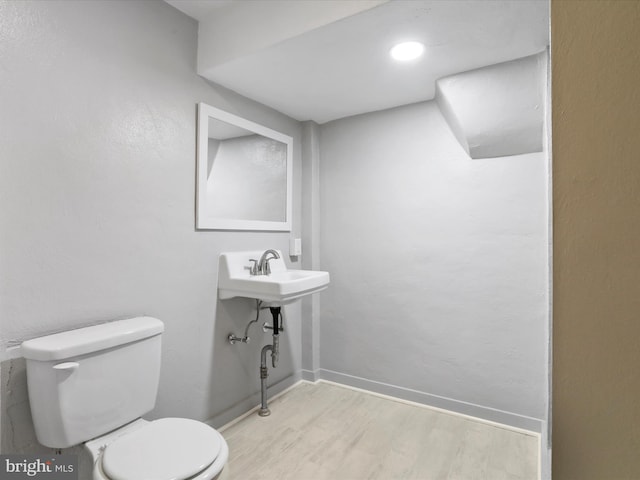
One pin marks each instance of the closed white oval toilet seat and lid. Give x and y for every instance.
(165, 449)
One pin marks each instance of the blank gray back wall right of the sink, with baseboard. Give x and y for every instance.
(438, 264)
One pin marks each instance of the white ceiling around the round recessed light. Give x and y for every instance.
(342, 67)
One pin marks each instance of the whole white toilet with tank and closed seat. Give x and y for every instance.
(93, 384)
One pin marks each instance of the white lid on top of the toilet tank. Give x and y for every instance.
(81, 341)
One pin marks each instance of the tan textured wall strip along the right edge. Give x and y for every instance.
(596, 152)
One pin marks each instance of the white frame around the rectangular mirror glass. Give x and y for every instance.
(204, 219)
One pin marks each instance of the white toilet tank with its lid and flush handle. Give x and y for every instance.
(84, 383)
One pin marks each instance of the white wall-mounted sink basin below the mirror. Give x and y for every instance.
(281, 286)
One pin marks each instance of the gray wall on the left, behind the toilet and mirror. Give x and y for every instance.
(97, 195)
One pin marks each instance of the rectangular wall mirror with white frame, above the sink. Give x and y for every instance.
(244, 178)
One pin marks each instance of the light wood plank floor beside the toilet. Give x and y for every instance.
(324, 431)
